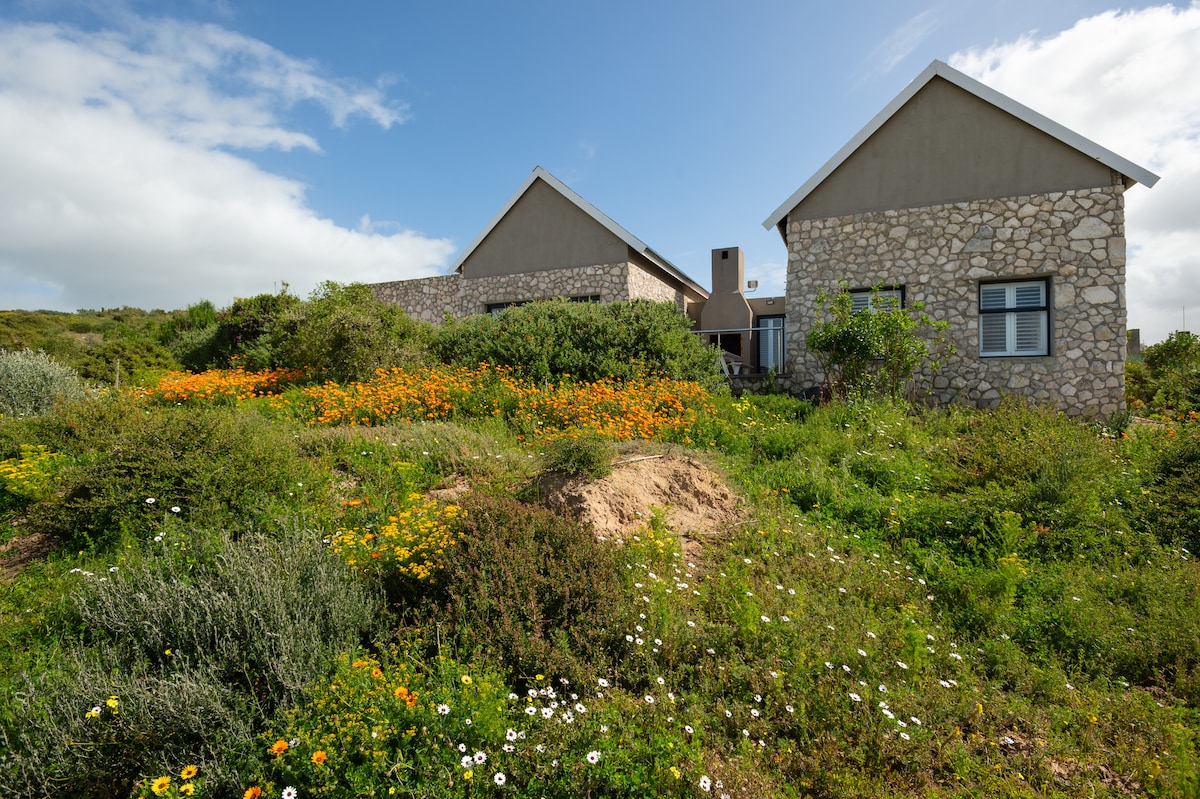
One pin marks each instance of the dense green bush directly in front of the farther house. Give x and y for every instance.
(586, 341)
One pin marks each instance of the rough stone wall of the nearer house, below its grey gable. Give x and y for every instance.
(941, 255)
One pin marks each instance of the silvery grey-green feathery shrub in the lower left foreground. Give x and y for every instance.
(197, 653)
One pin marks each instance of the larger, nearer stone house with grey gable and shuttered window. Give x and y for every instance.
(1000, 221)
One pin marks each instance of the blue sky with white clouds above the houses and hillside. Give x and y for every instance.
(159, 153)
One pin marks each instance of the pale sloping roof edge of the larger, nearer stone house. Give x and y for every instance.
(945, 71)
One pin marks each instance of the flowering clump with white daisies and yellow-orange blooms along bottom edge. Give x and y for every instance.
(391, 725)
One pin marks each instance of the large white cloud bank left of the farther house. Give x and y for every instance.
(121, 188)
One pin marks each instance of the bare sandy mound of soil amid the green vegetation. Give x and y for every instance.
(695, 497)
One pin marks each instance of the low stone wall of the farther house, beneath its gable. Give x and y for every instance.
(430, 299)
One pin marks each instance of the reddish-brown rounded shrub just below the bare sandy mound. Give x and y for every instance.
(531, 590)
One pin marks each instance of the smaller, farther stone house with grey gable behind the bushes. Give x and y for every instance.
(547, 243)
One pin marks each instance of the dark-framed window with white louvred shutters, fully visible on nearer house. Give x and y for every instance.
(1015, 319)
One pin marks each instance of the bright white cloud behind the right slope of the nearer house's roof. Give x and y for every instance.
(1127, 81)
